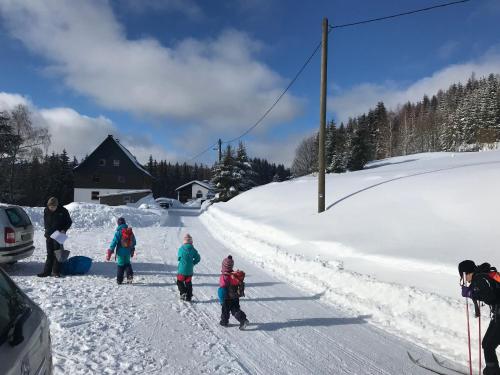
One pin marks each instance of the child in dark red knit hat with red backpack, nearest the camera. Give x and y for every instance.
(232, 287)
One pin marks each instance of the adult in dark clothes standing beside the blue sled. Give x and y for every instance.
(55, 218)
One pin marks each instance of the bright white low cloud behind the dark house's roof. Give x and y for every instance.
(80, 134)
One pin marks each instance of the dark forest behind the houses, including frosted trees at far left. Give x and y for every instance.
(28, 176)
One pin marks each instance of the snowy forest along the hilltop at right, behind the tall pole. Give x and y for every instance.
(462, 118)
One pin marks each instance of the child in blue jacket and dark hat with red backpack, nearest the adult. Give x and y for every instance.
(124, 243)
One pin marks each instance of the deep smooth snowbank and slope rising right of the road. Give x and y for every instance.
(388, 244)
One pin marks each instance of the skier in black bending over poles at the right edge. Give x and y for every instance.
(484, 288)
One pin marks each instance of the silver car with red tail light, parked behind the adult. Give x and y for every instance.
(16, 239)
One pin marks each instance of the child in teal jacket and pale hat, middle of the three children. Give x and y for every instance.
(188, 257)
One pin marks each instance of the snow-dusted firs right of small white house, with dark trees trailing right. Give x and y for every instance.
(236, 173)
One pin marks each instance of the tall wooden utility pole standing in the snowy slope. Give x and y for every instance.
(322, 119)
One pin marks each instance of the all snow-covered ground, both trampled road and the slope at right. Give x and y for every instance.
(348, 291)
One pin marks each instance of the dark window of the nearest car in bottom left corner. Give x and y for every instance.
(10, 305)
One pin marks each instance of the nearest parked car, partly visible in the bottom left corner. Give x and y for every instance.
(25, 347)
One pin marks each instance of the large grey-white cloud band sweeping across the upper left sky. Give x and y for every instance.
(217, 82)
